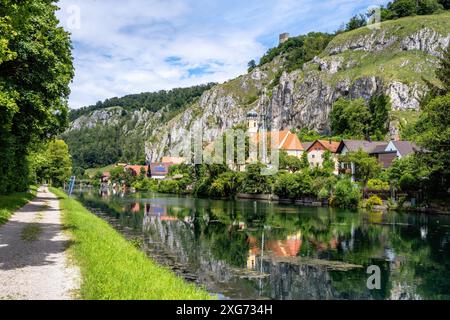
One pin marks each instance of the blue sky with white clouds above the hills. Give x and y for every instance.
(123, 47)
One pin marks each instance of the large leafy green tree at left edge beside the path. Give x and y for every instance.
(35, 72)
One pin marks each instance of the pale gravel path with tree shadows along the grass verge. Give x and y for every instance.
(33, 258)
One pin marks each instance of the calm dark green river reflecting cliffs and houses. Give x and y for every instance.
(262, 250)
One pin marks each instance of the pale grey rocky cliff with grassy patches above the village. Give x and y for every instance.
(392, 60)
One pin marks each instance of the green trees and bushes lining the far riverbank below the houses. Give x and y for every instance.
(424, 175)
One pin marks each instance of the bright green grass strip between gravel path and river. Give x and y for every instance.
(111, 267)
